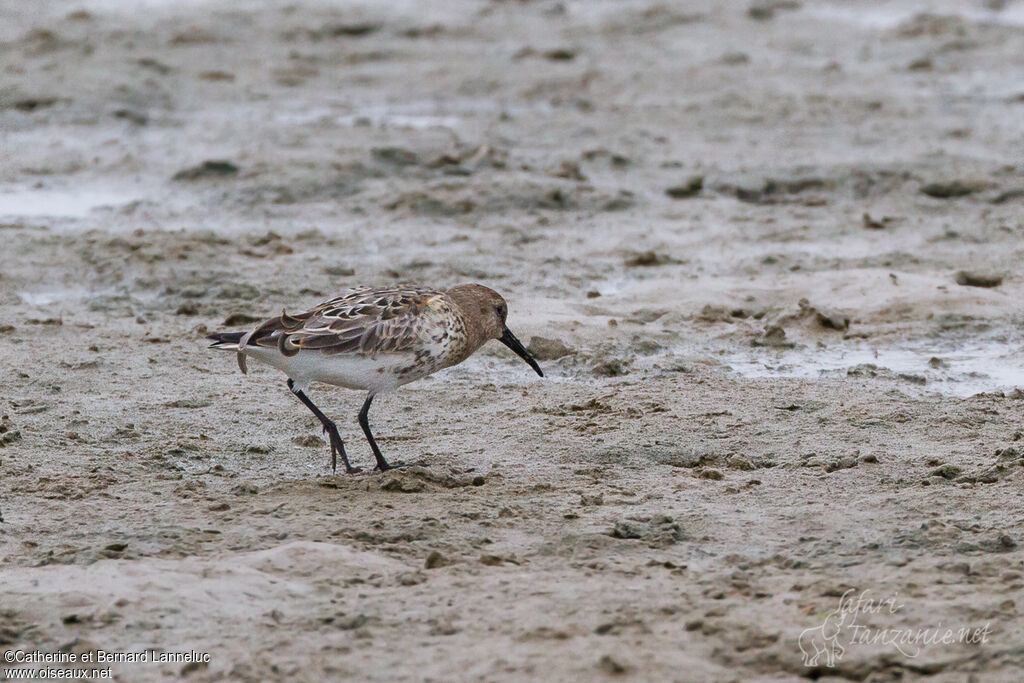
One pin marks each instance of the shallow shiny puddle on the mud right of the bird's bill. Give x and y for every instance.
(963, 372)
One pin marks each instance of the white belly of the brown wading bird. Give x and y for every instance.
(346, 370)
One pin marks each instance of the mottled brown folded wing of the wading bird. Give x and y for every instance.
(367, 322)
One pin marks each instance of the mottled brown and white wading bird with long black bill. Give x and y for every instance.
(375, 340)
